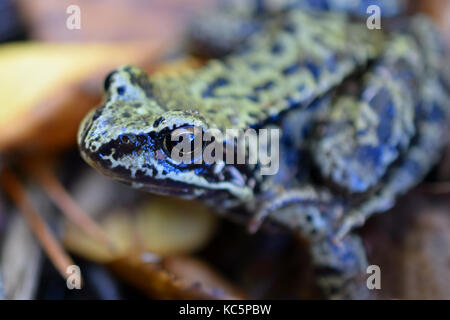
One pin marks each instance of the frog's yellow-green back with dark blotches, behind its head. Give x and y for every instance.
(289, 65)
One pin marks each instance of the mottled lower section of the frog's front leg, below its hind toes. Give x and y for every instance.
(340, 267)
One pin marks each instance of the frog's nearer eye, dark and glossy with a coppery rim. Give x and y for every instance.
(181, 142)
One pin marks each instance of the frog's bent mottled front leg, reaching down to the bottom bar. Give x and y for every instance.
(340, 265)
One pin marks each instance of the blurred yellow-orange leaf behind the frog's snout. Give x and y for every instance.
(46, 88)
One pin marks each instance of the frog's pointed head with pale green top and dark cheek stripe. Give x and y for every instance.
(130, 138)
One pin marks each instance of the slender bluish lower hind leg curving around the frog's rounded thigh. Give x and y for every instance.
(432, 114)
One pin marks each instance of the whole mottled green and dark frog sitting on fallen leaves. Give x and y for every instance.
(362, 114)
